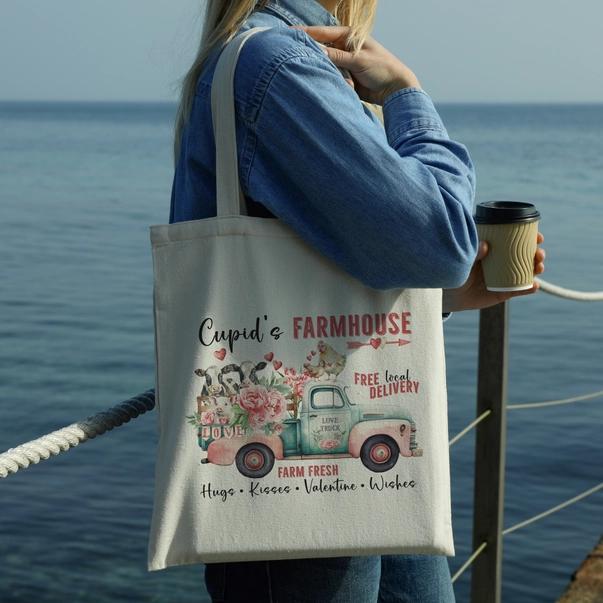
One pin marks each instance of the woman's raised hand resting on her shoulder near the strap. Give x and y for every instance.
(375, 71)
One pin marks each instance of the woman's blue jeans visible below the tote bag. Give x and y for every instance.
(374, 579)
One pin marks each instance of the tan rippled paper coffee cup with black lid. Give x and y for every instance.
(511, 230)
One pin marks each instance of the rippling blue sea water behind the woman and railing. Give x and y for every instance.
(79, 186)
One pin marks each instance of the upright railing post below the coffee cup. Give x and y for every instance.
(489, 490)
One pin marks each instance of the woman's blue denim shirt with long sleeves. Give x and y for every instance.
(392, 207)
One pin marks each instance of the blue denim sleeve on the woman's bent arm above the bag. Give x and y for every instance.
(391, 207)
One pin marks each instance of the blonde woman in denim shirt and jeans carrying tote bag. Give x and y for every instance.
(381, 190)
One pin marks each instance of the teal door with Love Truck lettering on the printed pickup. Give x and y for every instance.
(329, 422)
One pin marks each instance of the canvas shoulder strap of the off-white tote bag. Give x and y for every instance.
(230, 200)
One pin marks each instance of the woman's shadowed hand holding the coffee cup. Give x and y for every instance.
(473, 295)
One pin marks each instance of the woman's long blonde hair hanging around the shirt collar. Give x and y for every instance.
(223, 18)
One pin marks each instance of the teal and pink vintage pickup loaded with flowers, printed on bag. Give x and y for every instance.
(259, 424)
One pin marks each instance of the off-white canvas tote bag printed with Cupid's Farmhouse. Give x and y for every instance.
(300, 412)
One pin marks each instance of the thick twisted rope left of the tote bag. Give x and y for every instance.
(66, 438)
